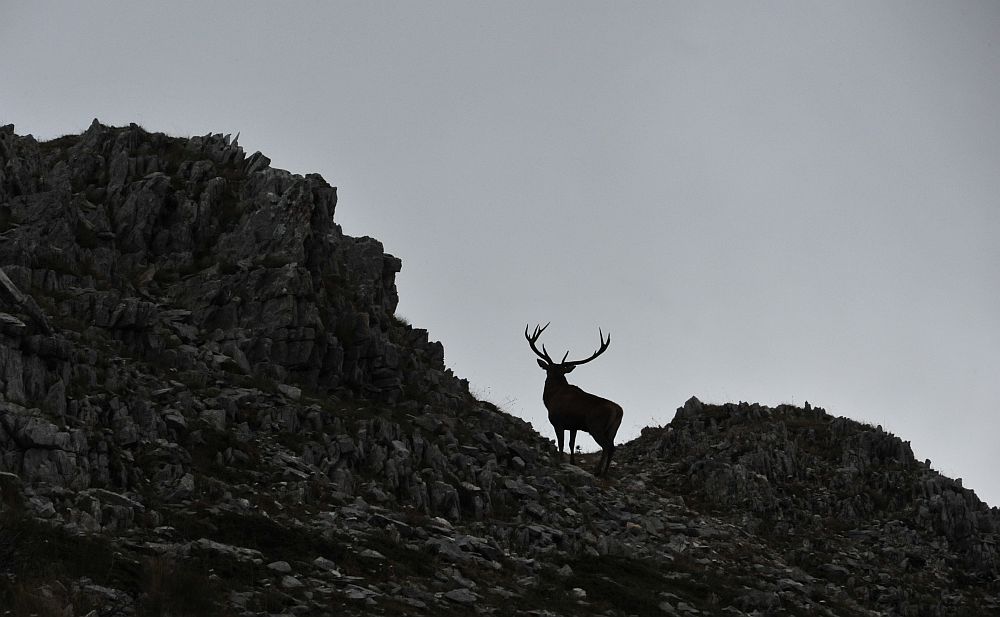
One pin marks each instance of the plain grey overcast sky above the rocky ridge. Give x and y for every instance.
(772, 202)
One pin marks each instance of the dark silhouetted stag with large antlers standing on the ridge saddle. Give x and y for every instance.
(570, 408)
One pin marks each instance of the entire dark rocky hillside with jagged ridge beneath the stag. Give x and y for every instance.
(208, 407)
